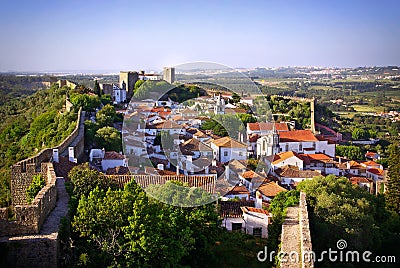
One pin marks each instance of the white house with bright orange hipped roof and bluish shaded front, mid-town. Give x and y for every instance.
(226, 149)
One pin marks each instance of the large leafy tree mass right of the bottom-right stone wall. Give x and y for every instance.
(340, 210)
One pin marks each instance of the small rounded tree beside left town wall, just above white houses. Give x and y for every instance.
(109, 138)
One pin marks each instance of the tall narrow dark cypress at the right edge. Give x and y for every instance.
(392, 194)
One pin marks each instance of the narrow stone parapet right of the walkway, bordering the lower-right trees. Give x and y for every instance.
(305, 234)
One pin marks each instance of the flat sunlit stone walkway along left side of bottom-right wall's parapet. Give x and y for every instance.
(291, 238)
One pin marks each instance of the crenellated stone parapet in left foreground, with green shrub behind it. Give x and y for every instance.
(29, 218)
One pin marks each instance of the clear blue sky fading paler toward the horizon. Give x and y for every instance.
(116, 35)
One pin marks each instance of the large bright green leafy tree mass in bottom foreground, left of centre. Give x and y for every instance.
(143, 232)
